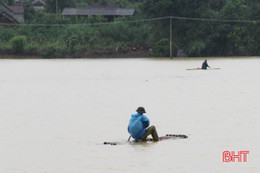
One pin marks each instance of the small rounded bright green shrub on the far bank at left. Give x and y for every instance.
(18, 43)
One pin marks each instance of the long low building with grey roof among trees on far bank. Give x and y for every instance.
(110, 11)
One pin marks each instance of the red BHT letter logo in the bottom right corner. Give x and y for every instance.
(231, 156)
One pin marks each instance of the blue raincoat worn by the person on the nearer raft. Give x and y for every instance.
(137, 125)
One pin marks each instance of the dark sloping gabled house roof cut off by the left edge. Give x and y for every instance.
(7, 16)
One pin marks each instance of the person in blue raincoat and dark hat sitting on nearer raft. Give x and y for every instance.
(139, 126)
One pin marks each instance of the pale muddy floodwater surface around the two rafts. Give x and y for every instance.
(56, 114)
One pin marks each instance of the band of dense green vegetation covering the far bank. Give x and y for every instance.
(76, 38)
